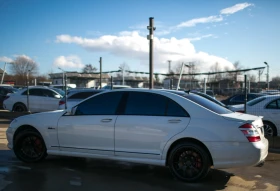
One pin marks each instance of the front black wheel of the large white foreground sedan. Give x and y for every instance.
(30, 147)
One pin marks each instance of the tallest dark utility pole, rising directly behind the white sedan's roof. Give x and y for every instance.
(150, 37)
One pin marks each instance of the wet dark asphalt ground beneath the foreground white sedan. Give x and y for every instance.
(67, 173)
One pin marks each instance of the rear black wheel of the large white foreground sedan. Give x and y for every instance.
(189, 162)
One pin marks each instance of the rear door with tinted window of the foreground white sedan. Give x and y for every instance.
(149, 120)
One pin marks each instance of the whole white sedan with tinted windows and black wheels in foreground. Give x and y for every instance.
(186, 132)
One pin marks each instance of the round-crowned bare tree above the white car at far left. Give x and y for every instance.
(21, 66)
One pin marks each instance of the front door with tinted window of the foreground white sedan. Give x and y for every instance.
(91, 128)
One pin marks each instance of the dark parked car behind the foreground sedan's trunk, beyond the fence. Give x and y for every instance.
(240, 98)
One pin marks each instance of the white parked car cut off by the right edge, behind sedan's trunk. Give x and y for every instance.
(267, 106)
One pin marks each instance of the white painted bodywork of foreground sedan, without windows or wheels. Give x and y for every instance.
(147, 139)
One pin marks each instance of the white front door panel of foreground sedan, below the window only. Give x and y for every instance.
(90, 134)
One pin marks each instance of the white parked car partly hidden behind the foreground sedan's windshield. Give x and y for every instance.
(76, 96)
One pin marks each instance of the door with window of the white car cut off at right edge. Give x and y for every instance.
(272, 112)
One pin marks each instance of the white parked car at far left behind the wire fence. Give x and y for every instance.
(40, 99)
